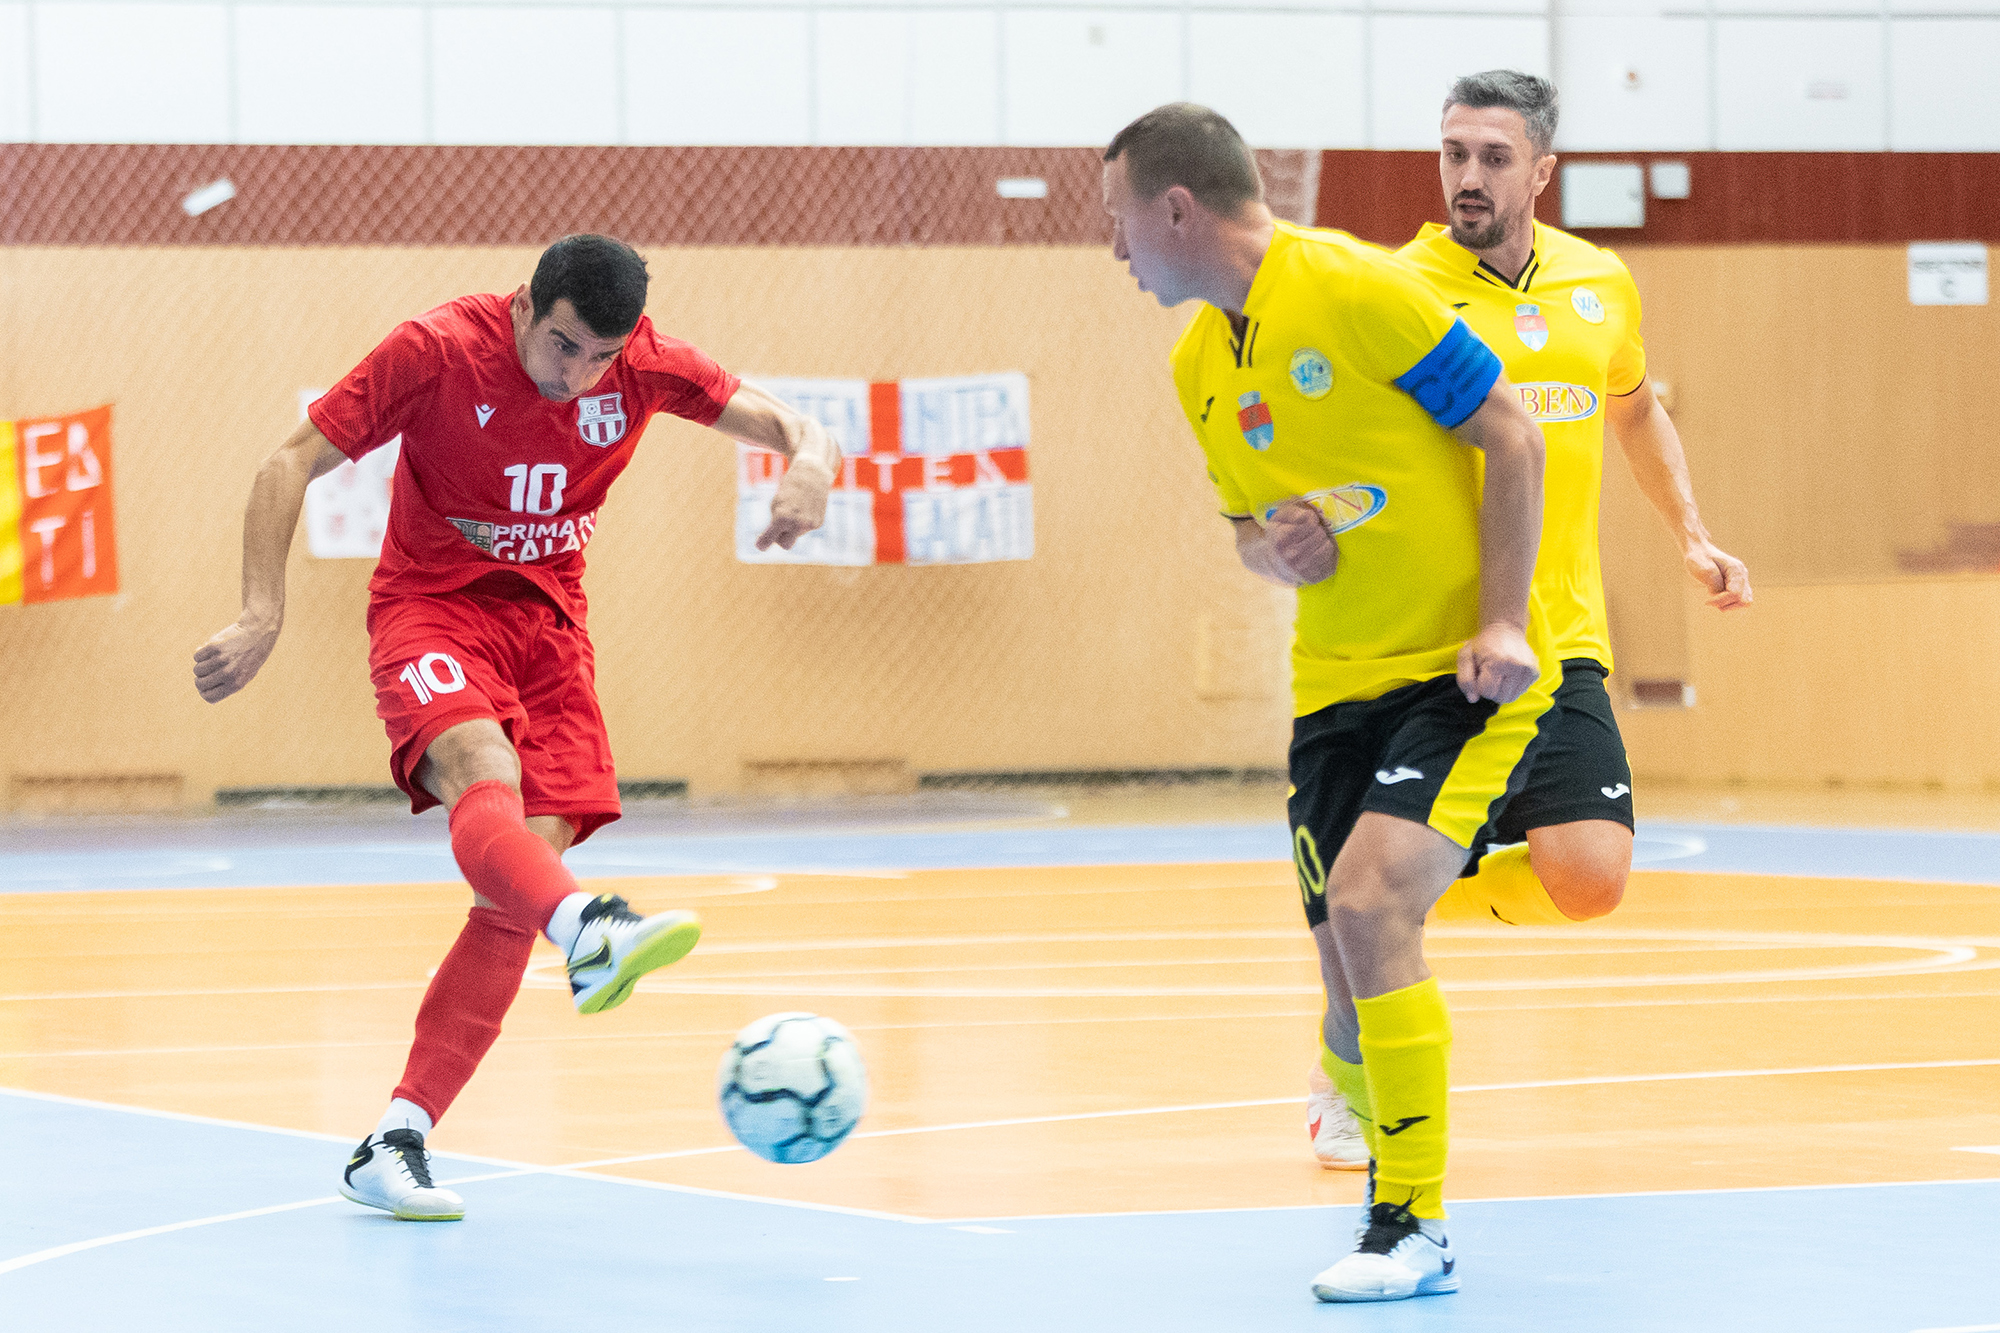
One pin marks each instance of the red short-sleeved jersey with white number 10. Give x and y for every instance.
(493, 475)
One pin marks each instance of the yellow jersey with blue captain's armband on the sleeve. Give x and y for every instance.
(1341, 387)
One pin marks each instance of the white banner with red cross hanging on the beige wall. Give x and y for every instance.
(935, 473)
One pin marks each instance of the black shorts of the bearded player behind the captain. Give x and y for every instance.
(1581, 772)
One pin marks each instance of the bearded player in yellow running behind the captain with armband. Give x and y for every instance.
(1565, 321)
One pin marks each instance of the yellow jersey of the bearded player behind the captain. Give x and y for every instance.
(1567, 331)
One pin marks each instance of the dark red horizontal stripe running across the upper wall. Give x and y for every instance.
(879, 197)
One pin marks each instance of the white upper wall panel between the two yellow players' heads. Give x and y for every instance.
(1287, 81)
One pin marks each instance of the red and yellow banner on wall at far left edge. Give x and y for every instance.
(57, 529)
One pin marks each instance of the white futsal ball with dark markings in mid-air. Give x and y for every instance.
(793, 1088)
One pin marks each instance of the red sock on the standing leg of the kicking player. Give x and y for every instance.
(461, 1016)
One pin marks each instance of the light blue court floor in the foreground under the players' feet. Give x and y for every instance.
(123, 1220)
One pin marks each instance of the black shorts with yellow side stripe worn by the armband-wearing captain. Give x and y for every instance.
(1419, 754)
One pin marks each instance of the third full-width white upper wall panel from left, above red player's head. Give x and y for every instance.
(531, 75)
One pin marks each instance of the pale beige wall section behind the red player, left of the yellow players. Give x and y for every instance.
(1083, 657)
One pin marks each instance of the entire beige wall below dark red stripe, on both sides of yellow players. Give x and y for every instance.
(1827, 421)
